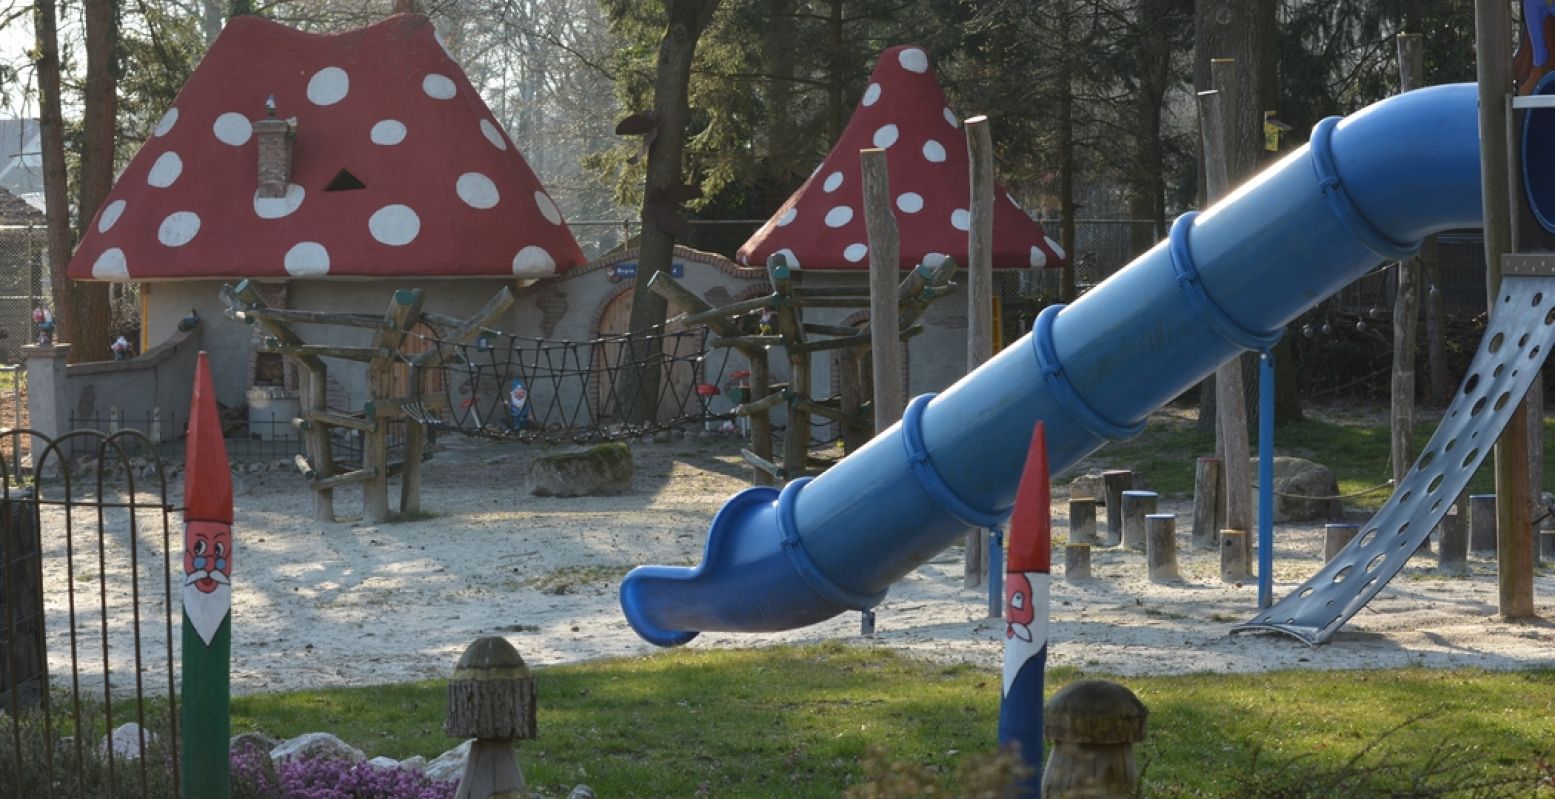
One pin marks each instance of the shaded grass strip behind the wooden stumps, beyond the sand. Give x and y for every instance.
(1358, 455)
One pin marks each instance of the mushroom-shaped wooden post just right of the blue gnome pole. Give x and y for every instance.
(1094, 727)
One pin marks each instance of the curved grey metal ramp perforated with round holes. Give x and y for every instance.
(1509, 360)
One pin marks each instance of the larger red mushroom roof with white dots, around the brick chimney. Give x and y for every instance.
(439, 189)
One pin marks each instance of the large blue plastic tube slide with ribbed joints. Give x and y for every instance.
(1368, 189)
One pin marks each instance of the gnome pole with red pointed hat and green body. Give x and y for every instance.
(208, 599)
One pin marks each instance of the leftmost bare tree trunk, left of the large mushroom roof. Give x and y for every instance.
(57, 203)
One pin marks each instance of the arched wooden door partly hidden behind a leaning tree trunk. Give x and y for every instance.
(612, 355)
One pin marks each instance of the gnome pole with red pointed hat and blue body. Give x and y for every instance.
(1027, 613)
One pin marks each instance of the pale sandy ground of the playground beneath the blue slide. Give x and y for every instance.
(354, 604)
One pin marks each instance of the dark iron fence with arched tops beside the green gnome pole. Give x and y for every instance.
(88, 568)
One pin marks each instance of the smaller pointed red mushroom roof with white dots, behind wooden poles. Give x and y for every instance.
(903, 111)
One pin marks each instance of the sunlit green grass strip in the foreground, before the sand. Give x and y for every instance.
(795, 722)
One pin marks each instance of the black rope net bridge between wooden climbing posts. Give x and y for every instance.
(522, 388)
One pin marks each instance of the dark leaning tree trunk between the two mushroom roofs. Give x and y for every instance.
(688, 19)
